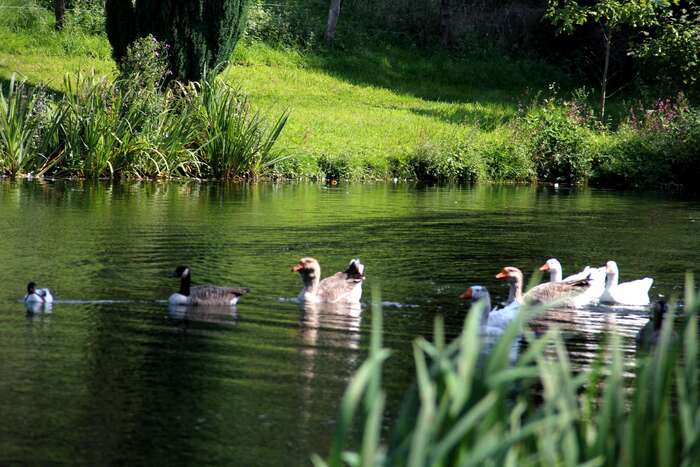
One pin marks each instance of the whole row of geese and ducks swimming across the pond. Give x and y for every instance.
(592, 286)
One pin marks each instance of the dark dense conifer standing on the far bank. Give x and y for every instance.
(201, 34)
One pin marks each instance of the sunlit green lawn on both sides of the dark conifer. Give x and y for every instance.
(365, 104)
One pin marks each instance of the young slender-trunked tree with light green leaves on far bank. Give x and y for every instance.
(610, 15)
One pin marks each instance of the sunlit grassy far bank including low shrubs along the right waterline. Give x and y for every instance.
(382, 111)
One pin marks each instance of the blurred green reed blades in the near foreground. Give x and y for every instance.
(472, 409)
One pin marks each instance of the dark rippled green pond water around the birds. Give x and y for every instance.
(133, 383)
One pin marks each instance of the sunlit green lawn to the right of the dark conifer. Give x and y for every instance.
(382, 102)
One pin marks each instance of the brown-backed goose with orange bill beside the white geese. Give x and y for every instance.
(571, 294)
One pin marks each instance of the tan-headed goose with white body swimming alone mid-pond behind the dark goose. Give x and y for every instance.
(341, 287)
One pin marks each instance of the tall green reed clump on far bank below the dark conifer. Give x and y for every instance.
(99, 128)
